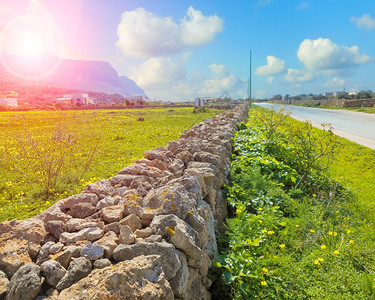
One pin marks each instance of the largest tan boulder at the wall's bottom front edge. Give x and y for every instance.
(139, 278)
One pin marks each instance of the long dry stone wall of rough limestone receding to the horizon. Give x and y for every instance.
(147, 233)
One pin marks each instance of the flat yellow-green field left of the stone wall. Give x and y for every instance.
(49, 155)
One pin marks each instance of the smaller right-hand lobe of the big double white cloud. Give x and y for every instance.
(197, 29)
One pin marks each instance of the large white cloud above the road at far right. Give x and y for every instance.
(323, 54)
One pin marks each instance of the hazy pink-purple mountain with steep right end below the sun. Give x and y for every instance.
(82, 75)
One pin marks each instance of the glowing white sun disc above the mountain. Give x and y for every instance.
(29, 44)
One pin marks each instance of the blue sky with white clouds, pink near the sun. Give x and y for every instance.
(178, 50)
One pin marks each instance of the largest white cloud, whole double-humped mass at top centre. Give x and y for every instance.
(143, 34)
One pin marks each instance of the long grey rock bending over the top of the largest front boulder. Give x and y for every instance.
(169, 259)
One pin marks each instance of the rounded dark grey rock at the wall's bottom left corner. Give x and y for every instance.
(25, 283)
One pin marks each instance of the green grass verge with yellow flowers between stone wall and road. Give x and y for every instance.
(313, 240)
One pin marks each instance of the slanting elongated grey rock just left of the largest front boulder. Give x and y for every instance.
(79, 268)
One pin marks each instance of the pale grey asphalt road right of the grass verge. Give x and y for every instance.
(355, 126)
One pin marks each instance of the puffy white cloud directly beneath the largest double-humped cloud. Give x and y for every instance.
(159, 72)
